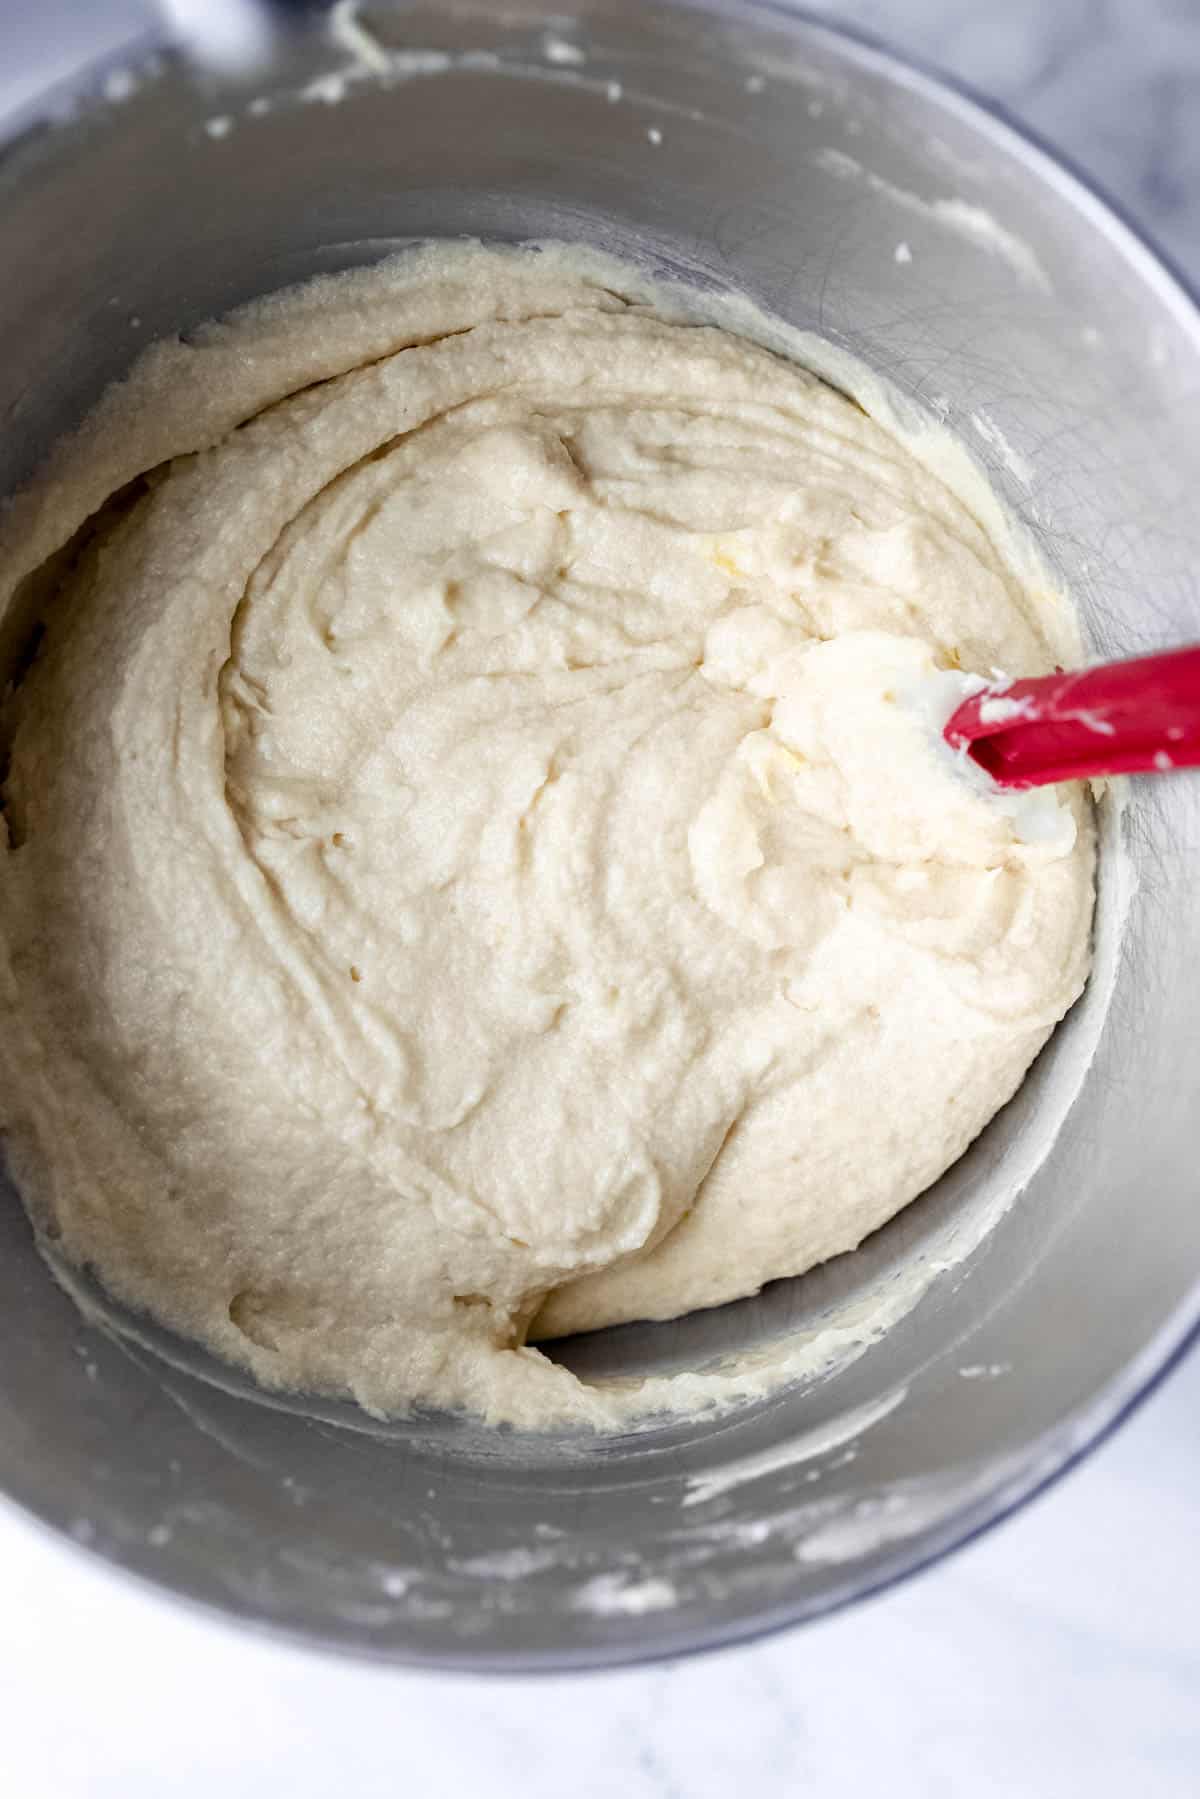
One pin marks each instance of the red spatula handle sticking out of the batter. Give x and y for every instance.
(1113, 720)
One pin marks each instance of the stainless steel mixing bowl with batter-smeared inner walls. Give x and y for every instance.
(755, 150)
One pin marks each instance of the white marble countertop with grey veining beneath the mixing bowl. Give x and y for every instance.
(1059, 1656)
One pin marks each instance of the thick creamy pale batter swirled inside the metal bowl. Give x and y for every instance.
(479, 863)
